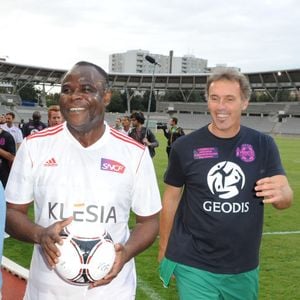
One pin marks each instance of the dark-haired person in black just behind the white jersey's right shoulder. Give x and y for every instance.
(139, 133)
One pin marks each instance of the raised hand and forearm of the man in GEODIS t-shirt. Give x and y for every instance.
(275, 190)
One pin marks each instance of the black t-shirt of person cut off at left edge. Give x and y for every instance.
(8, 144)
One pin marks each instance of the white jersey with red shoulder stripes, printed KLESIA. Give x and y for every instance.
(97, 185)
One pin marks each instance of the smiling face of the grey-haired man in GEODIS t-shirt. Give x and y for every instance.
(225, 104)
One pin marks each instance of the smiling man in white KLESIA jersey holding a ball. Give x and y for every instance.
(83, 172)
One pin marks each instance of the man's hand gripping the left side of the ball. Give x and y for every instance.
(49, 237)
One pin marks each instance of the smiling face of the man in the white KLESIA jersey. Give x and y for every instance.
(83, 99)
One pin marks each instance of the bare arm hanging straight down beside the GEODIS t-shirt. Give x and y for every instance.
(171, 200)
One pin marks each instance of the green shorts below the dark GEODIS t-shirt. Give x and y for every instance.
(193, 283)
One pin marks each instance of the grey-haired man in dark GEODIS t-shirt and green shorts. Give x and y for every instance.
(217, 182)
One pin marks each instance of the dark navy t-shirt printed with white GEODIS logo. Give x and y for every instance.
(218, 224)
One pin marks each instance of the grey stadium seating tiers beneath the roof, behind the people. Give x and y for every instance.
(260, 120)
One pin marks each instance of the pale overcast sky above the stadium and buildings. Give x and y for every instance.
(256, 35)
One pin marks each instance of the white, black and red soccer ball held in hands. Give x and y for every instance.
(85, 260)
